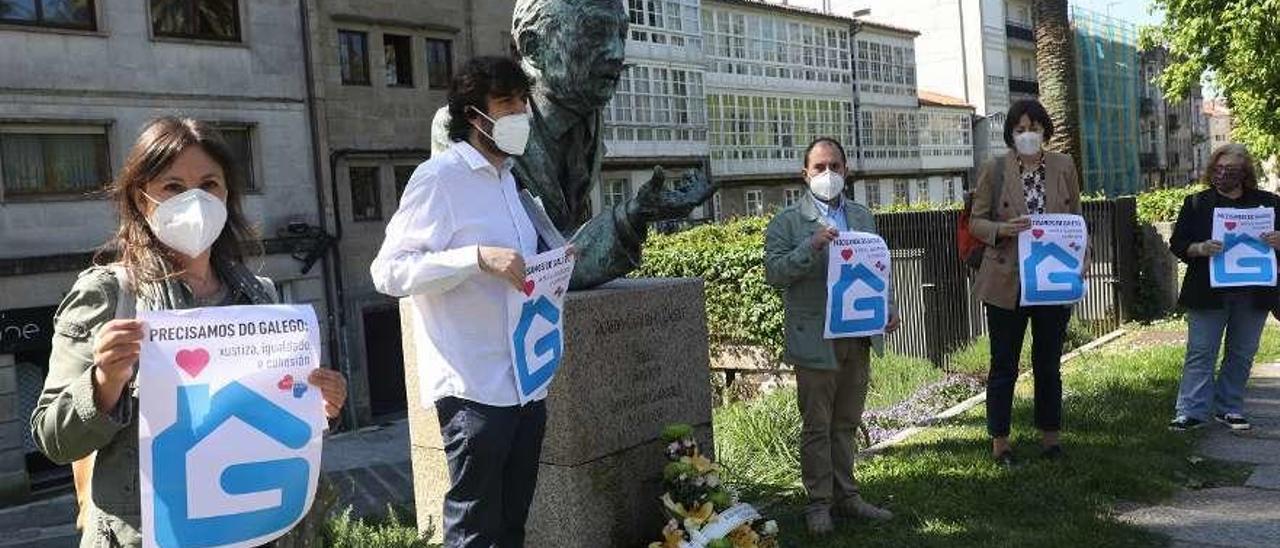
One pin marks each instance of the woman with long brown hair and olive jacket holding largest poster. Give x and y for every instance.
(182, 243)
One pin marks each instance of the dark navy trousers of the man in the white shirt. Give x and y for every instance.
(493, 468)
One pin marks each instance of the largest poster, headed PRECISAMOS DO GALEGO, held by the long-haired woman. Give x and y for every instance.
(230, 432)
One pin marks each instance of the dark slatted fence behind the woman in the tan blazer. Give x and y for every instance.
(935, 289)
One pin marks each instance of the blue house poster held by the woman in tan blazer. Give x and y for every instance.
(1052, 261)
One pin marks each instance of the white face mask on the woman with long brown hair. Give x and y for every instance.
(190, 223)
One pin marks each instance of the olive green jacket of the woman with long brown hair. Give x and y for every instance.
(68, 426)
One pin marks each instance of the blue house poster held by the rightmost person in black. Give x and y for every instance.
(1246, 259)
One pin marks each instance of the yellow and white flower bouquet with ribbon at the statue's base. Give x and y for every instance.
(702, 512)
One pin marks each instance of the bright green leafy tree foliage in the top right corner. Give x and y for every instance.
(1237, 43)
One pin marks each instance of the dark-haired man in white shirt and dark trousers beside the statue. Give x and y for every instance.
(458, 246)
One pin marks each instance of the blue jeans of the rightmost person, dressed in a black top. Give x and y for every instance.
(1244, 326)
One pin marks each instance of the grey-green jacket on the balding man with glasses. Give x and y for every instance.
(794, 267)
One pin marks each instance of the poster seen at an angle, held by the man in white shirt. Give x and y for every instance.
(536, 321)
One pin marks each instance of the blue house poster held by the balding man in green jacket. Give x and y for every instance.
(858, 280)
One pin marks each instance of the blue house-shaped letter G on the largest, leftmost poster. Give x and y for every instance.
(198, 418)
